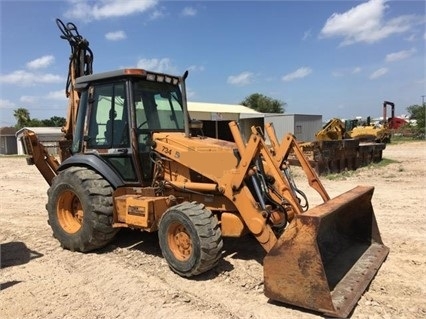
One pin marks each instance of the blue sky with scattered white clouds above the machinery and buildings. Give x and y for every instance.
(334, 58)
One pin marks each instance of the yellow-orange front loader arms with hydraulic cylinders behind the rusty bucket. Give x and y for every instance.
(258, 217)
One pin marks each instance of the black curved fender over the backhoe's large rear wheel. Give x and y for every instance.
(96, 163)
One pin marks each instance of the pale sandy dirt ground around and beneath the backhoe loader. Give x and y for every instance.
(130, 279)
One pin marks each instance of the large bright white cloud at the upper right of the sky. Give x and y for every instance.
(366, 23)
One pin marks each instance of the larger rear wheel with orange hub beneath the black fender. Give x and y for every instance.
(80, 209)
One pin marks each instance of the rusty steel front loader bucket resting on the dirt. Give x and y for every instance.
(327, 257)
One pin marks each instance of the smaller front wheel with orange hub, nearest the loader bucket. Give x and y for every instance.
(190, 239)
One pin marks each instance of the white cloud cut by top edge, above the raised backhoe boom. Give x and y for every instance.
(103, 9)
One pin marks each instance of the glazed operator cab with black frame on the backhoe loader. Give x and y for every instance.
(118, 112)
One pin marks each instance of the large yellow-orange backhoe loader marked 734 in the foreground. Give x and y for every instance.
(133, 158)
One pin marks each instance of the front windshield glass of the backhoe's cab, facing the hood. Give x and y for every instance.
(158, 106)
